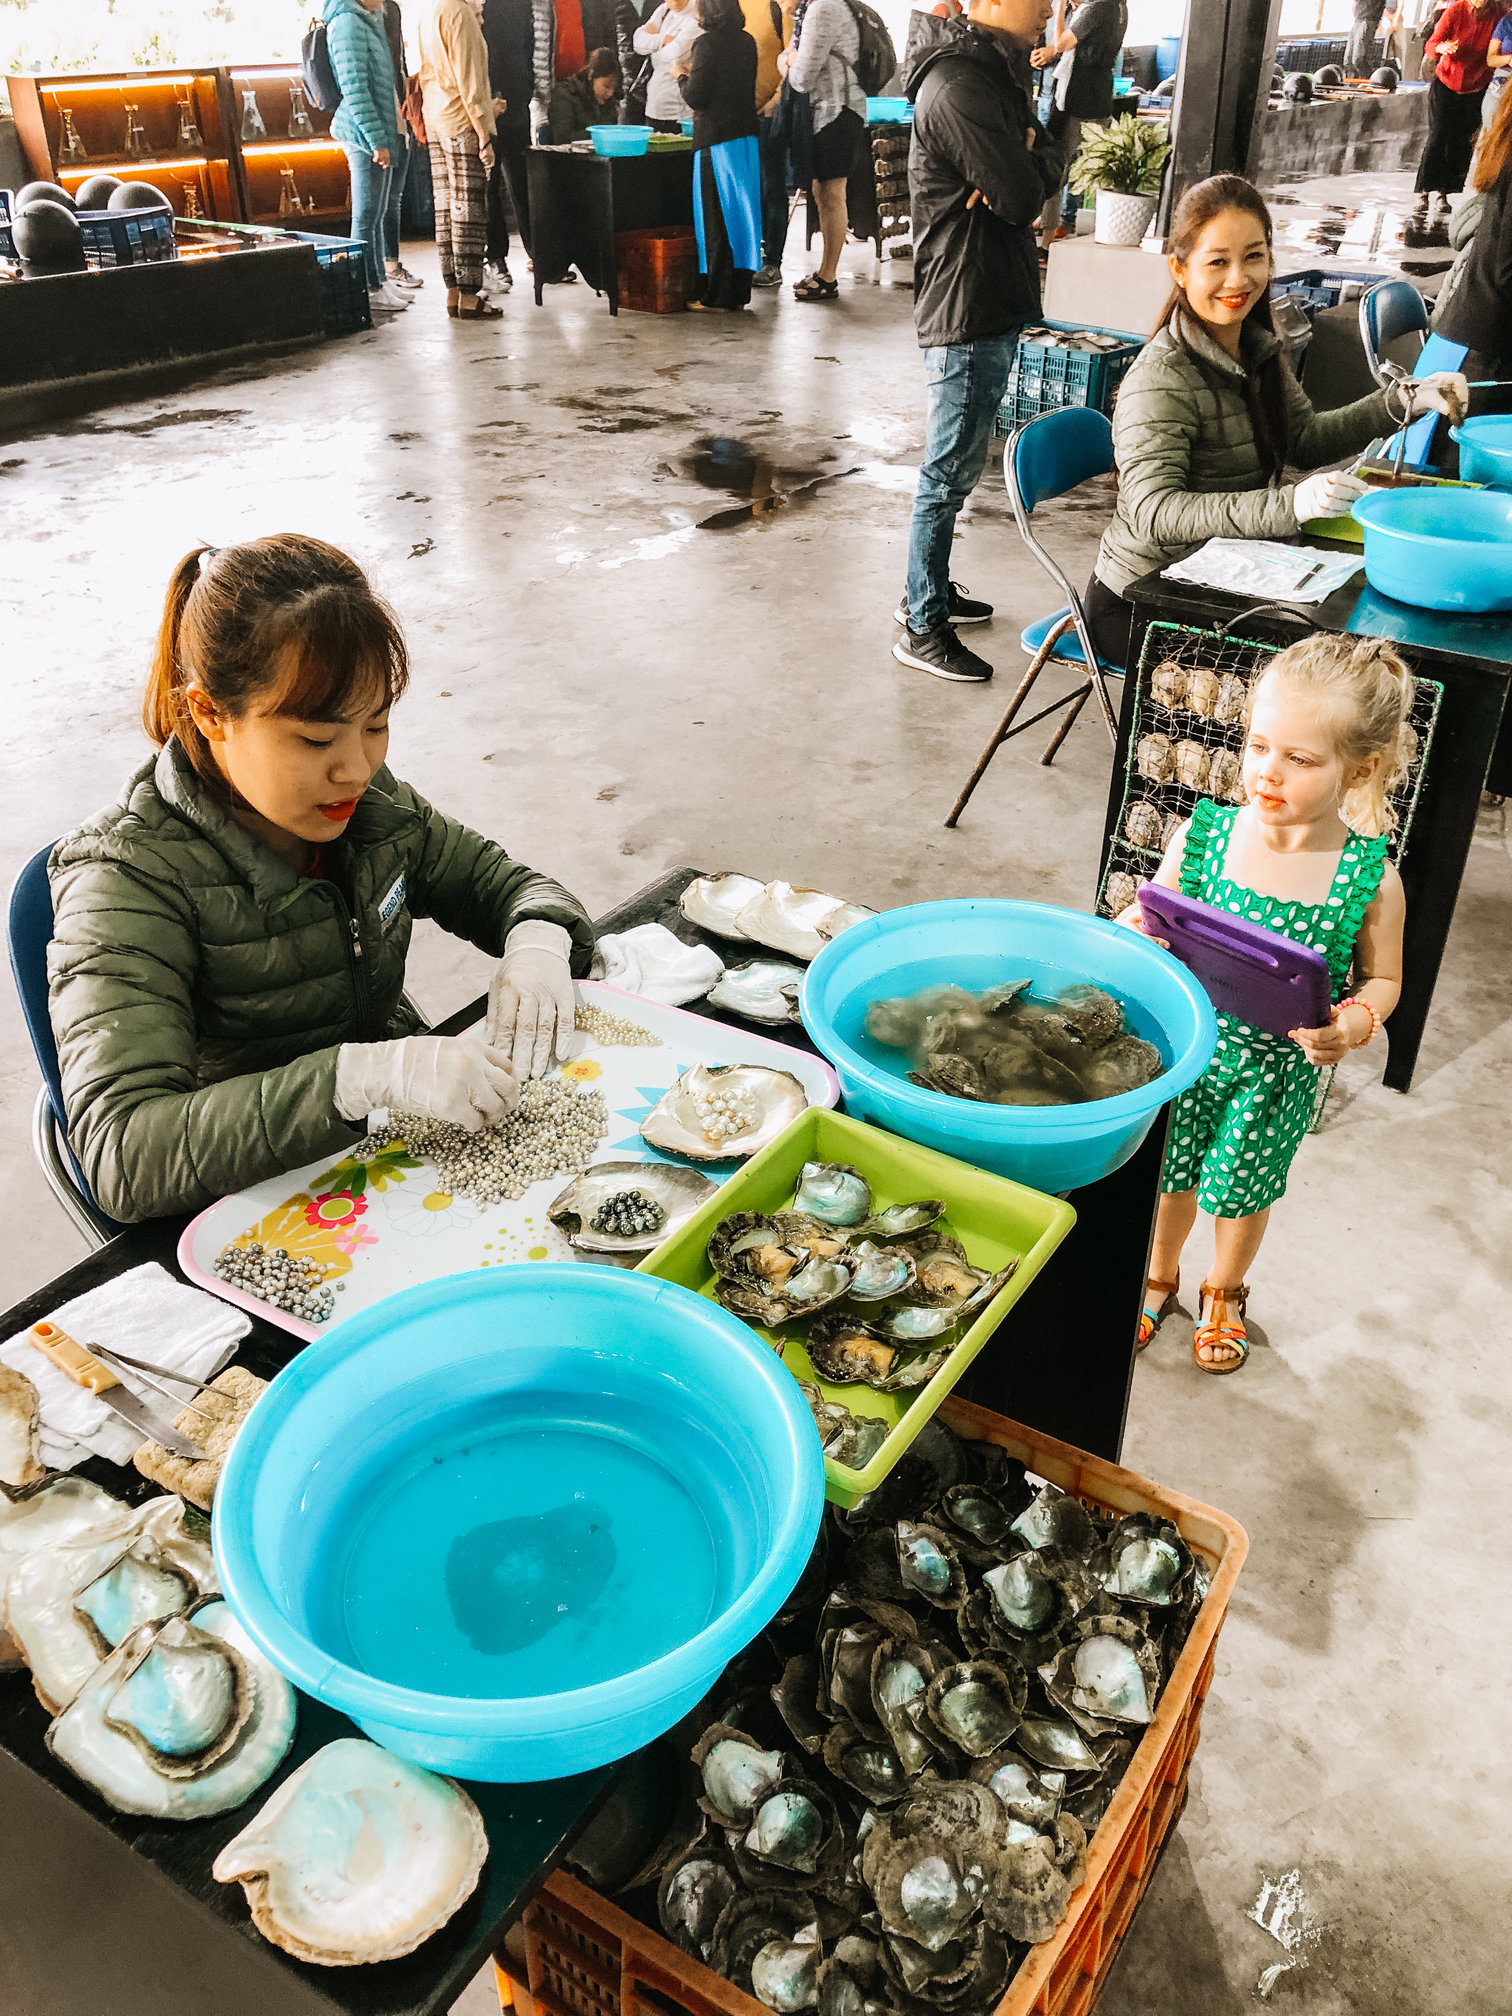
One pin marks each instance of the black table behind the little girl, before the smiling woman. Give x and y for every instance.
(1473, 751)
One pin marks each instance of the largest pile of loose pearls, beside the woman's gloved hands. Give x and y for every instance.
(551, 1132)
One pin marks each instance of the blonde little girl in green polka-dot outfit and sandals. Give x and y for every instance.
(1303, 856)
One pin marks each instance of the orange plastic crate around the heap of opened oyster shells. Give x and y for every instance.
(586, 1957)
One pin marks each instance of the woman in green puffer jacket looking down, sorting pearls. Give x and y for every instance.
(229, 942)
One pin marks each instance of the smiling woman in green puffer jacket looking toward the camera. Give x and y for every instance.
(1211, 414)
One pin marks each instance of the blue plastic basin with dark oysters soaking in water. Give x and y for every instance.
(979, 942)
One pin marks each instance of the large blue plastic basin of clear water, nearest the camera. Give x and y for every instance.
(517, 1523)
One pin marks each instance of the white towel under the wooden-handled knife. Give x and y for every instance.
(148, 1315)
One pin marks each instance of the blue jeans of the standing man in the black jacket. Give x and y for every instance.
(967, 386)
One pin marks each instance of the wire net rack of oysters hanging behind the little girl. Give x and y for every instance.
(1188, 739)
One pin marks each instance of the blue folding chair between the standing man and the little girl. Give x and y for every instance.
(1043, 461)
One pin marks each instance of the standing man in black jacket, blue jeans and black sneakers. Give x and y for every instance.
(979, 174)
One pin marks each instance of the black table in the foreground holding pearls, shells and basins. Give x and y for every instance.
(122, 1916)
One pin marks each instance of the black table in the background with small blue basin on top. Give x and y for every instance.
(580, 201)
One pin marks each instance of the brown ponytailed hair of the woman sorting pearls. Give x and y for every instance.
(275, 626)
